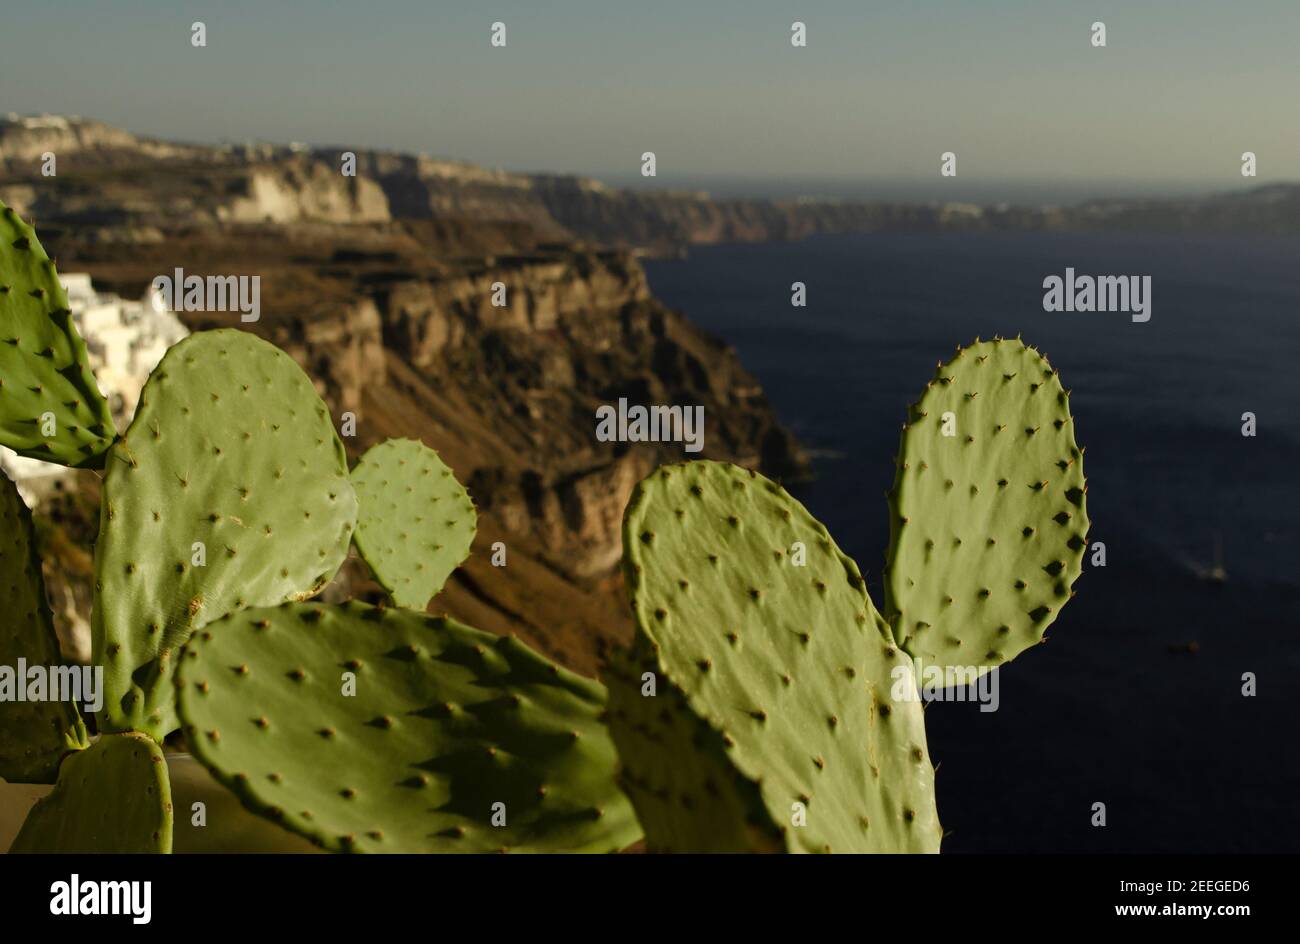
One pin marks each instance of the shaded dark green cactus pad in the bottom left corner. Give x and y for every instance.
(111, 798)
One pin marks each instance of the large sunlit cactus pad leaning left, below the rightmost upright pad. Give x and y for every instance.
(790, 665)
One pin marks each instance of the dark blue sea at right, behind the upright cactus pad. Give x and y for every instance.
(1137, 700)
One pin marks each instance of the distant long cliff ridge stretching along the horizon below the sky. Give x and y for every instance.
(249, 184)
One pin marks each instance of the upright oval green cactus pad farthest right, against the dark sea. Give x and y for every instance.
(989, 525)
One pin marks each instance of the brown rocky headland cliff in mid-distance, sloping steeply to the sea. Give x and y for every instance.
(513, 391)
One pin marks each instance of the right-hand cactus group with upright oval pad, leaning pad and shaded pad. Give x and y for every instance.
(783, 685)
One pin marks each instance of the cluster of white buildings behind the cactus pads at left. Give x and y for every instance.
(125, 341)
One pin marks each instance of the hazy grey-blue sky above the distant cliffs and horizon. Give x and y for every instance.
(716, 89)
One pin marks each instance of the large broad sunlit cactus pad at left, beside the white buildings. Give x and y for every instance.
(231, 449)
